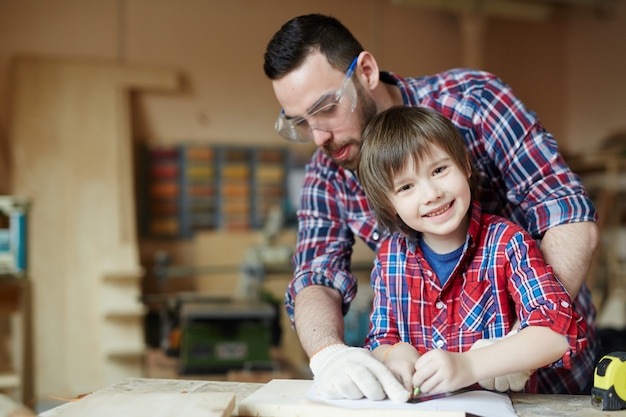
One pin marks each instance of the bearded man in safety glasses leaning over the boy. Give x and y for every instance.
(329, 88)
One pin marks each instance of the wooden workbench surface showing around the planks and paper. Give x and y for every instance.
(526, 405)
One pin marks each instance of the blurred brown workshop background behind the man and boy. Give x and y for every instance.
(160, 201)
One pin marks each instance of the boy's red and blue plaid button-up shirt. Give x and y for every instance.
(500, 276)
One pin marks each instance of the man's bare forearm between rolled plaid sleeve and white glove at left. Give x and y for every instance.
(318, 318)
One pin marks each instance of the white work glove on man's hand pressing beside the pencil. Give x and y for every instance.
(341, 371)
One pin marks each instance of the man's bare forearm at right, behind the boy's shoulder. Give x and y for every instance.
(569, 249)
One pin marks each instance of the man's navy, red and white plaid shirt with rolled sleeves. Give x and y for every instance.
(521, 176)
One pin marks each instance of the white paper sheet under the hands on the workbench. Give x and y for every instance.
(480, 403)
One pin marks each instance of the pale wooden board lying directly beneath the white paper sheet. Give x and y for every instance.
(286, 398)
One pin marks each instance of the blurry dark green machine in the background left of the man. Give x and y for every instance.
(222, 335)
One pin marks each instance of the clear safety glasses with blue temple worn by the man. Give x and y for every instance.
(330, 112)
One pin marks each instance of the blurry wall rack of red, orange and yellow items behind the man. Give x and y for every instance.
(191, 187)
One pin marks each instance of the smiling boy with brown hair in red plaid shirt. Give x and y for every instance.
(450, 275)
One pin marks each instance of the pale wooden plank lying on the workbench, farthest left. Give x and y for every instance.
(129, 404)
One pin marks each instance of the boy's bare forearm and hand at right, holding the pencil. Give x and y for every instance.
(533, 347)
